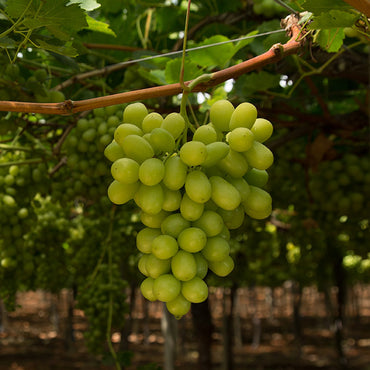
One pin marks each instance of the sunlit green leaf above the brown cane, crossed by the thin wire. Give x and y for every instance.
(213, 56)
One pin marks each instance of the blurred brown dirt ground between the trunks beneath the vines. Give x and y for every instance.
(29, 339)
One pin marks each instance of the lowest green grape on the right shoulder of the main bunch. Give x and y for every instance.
(258, 205)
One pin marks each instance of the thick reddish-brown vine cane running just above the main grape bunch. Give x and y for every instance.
(273, 55)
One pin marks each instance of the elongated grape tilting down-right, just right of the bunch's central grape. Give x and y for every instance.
(224, 194)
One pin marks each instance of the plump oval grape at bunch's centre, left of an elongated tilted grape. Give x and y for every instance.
(198, 187)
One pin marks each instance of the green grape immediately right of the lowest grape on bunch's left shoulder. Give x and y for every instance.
(149, 198)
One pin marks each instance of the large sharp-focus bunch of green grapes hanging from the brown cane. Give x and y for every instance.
(190, 192)
